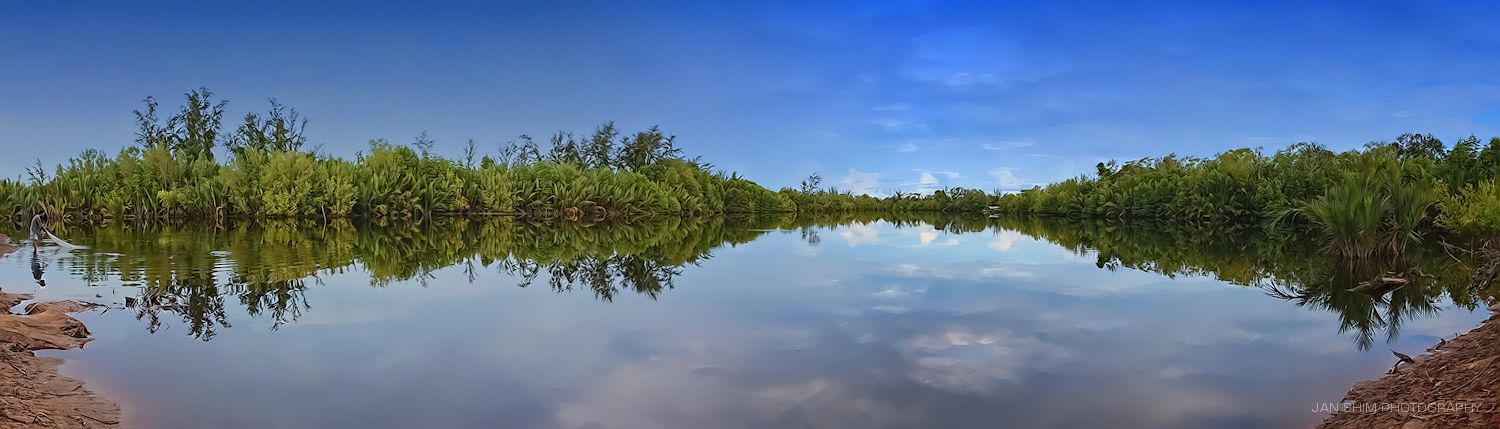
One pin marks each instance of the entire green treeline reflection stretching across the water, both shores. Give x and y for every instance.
(266, 268)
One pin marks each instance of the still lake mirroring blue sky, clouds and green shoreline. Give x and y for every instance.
(728, 323)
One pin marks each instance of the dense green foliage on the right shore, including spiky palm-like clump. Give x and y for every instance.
(1369, 202)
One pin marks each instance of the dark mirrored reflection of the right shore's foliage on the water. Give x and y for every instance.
(1370, 296)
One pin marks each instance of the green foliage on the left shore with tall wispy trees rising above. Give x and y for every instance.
(268, 172)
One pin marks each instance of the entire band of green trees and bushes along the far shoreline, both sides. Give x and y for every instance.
(1372, 202)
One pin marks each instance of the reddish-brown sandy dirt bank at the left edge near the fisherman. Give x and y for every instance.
(32, 392)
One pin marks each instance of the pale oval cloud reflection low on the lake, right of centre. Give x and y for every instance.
(968, 362)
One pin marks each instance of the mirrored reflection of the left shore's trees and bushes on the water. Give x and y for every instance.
(268, 266)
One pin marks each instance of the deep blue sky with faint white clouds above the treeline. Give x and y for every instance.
(872, 95)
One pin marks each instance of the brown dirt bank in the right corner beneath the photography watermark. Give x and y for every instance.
(1456, 385)
